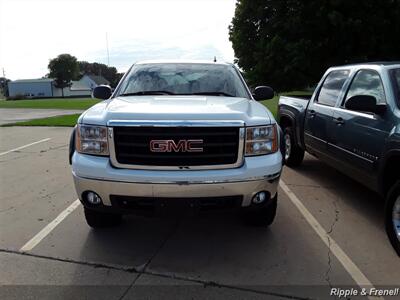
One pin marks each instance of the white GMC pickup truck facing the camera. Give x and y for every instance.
(177, 134)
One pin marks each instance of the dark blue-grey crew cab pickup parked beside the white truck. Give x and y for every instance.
(352, 122)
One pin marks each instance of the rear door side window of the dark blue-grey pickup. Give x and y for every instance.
(332, 86)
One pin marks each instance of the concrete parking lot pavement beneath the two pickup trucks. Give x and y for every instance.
(328, 232)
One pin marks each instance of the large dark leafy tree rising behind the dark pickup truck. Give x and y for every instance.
(289, 43)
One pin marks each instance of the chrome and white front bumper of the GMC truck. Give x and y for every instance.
(96, 174)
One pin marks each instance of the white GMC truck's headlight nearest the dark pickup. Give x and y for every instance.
(261, 140)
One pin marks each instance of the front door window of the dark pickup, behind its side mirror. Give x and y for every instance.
(367, 82)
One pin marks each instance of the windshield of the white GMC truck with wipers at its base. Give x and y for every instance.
(184, 79)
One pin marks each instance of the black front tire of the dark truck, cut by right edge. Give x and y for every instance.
(392, 197)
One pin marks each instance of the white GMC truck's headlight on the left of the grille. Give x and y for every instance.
(92, 140)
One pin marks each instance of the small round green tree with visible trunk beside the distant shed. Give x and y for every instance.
(64, 68)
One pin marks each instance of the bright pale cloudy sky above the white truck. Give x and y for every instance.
(34, 31)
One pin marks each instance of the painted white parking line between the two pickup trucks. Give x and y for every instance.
(358, 276)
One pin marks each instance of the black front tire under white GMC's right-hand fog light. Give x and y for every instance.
(263, 216)
